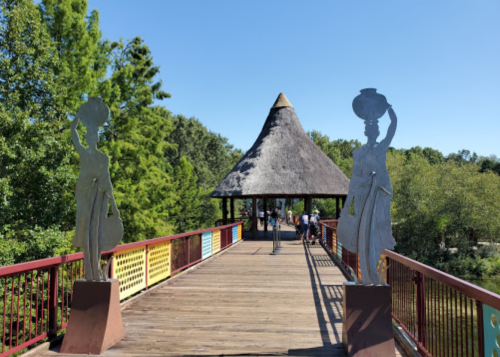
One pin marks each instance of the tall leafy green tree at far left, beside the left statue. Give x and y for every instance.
(34, 172)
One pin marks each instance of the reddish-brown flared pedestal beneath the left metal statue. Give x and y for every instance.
(96, 322)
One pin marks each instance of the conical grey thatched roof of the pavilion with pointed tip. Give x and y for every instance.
(283, 161)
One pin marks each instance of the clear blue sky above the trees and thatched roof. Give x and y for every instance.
(225, 62)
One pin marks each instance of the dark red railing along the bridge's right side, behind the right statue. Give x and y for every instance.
(442, 315)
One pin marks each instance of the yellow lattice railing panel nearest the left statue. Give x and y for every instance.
(129, 268)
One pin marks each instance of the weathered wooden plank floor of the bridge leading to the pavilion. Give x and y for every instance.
(242, 303)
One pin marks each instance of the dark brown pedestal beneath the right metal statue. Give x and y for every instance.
(367, 321)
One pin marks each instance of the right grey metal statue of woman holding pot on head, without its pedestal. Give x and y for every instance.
(364, 226)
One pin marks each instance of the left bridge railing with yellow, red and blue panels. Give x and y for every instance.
(35, 297)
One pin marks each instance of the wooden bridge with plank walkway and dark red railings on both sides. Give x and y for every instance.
(212, 293)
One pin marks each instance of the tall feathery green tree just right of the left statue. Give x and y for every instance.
(134, 141)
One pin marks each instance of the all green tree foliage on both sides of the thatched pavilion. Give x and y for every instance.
(446, 209)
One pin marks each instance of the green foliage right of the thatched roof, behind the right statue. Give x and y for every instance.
(445, 210)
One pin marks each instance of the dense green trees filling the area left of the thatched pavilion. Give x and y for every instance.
(53, 56)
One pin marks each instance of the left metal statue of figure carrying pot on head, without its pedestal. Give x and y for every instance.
(95, 230)
